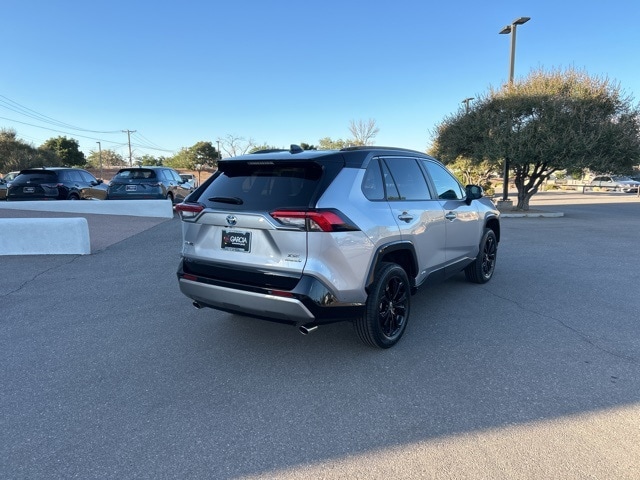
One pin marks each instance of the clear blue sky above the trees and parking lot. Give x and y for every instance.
(283, 72)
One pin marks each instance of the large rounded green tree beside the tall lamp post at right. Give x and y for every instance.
(559, 120)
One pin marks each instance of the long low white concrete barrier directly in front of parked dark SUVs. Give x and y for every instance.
(136, 208)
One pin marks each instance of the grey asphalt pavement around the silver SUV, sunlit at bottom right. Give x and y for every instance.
(108, 372)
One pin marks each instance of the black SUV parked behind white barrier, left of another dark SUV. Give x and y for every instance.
(56, 183)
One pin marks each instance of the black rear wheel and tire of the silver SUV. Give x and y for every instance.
(387, 309)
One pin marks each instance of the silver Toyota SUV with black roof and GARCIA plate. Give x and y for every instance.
(318, 236)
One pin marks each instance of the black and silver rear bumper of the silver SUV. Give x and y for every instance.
(309, 302)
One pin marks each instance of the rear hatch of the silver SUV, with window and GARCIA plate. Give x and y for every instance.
(249, 223)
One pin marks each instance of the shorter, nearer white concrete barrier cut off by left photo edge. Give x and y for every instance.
(44, 236)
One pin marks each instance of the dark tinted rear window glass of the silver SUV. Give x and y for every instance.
(263, 186)
